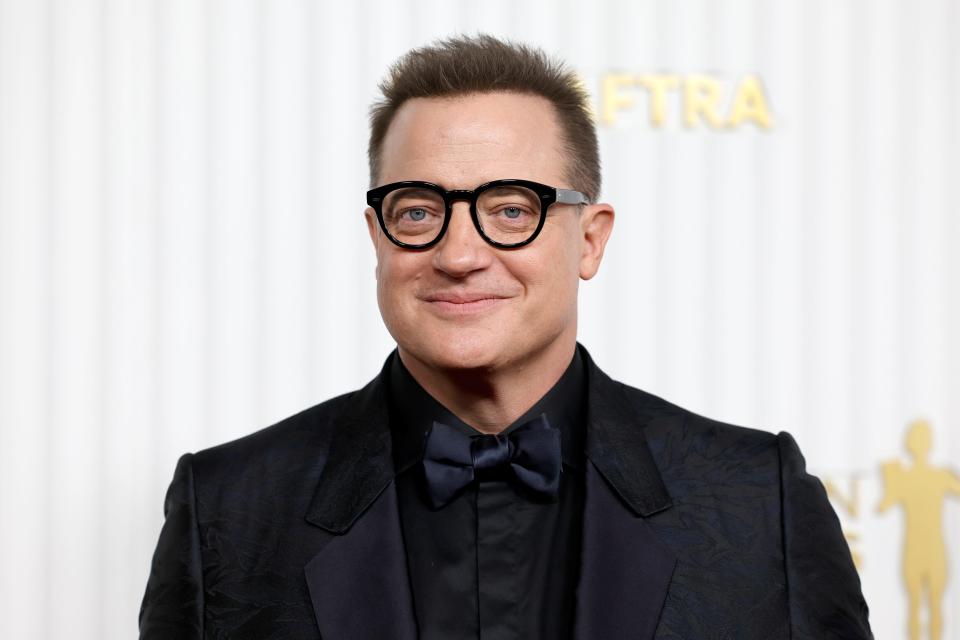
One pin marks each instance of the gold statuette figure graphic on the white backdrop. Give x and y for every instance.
(920, 490)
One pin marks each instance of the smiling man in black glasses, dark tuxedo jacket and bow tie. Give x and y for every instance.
(491, 481)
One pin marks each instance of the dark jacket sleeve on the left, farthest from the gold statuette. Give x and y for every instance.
(173, 603)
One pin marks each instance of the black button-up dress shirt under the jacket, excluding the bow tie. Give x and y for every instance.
(497, 562)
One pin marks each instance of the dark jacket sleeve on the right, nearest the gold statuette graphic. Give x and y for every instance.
(822, 583)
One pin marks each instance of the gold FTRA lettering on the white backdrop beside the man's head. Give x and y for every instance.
(704, 100)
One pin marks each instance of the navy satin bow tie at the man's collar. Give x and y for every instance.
(530, 453)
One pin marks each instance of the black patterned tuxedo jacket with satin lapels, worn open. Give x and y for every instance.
(691, 529)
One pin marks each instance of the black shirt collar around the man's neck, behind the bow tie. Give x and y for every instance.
(413, 410)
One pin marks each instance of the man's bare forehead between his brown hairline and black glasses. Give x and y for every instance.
(463, 141)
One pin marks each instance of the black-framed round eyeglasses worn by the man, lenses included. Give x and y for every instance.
(507, 213)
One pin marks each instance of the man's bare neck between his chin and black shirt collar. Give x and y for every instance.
(491, 399)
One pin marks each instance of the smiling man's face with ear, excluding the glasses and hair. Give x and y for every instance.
(464, 304)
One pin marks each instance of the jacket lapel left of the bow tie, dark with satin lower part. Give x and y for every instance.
(358, 582)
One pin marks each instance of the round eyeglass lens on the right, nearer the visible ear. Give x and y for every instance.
(508, 214)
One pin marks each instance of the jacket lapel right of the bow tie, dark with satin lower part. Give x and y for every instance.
(625, 570)
